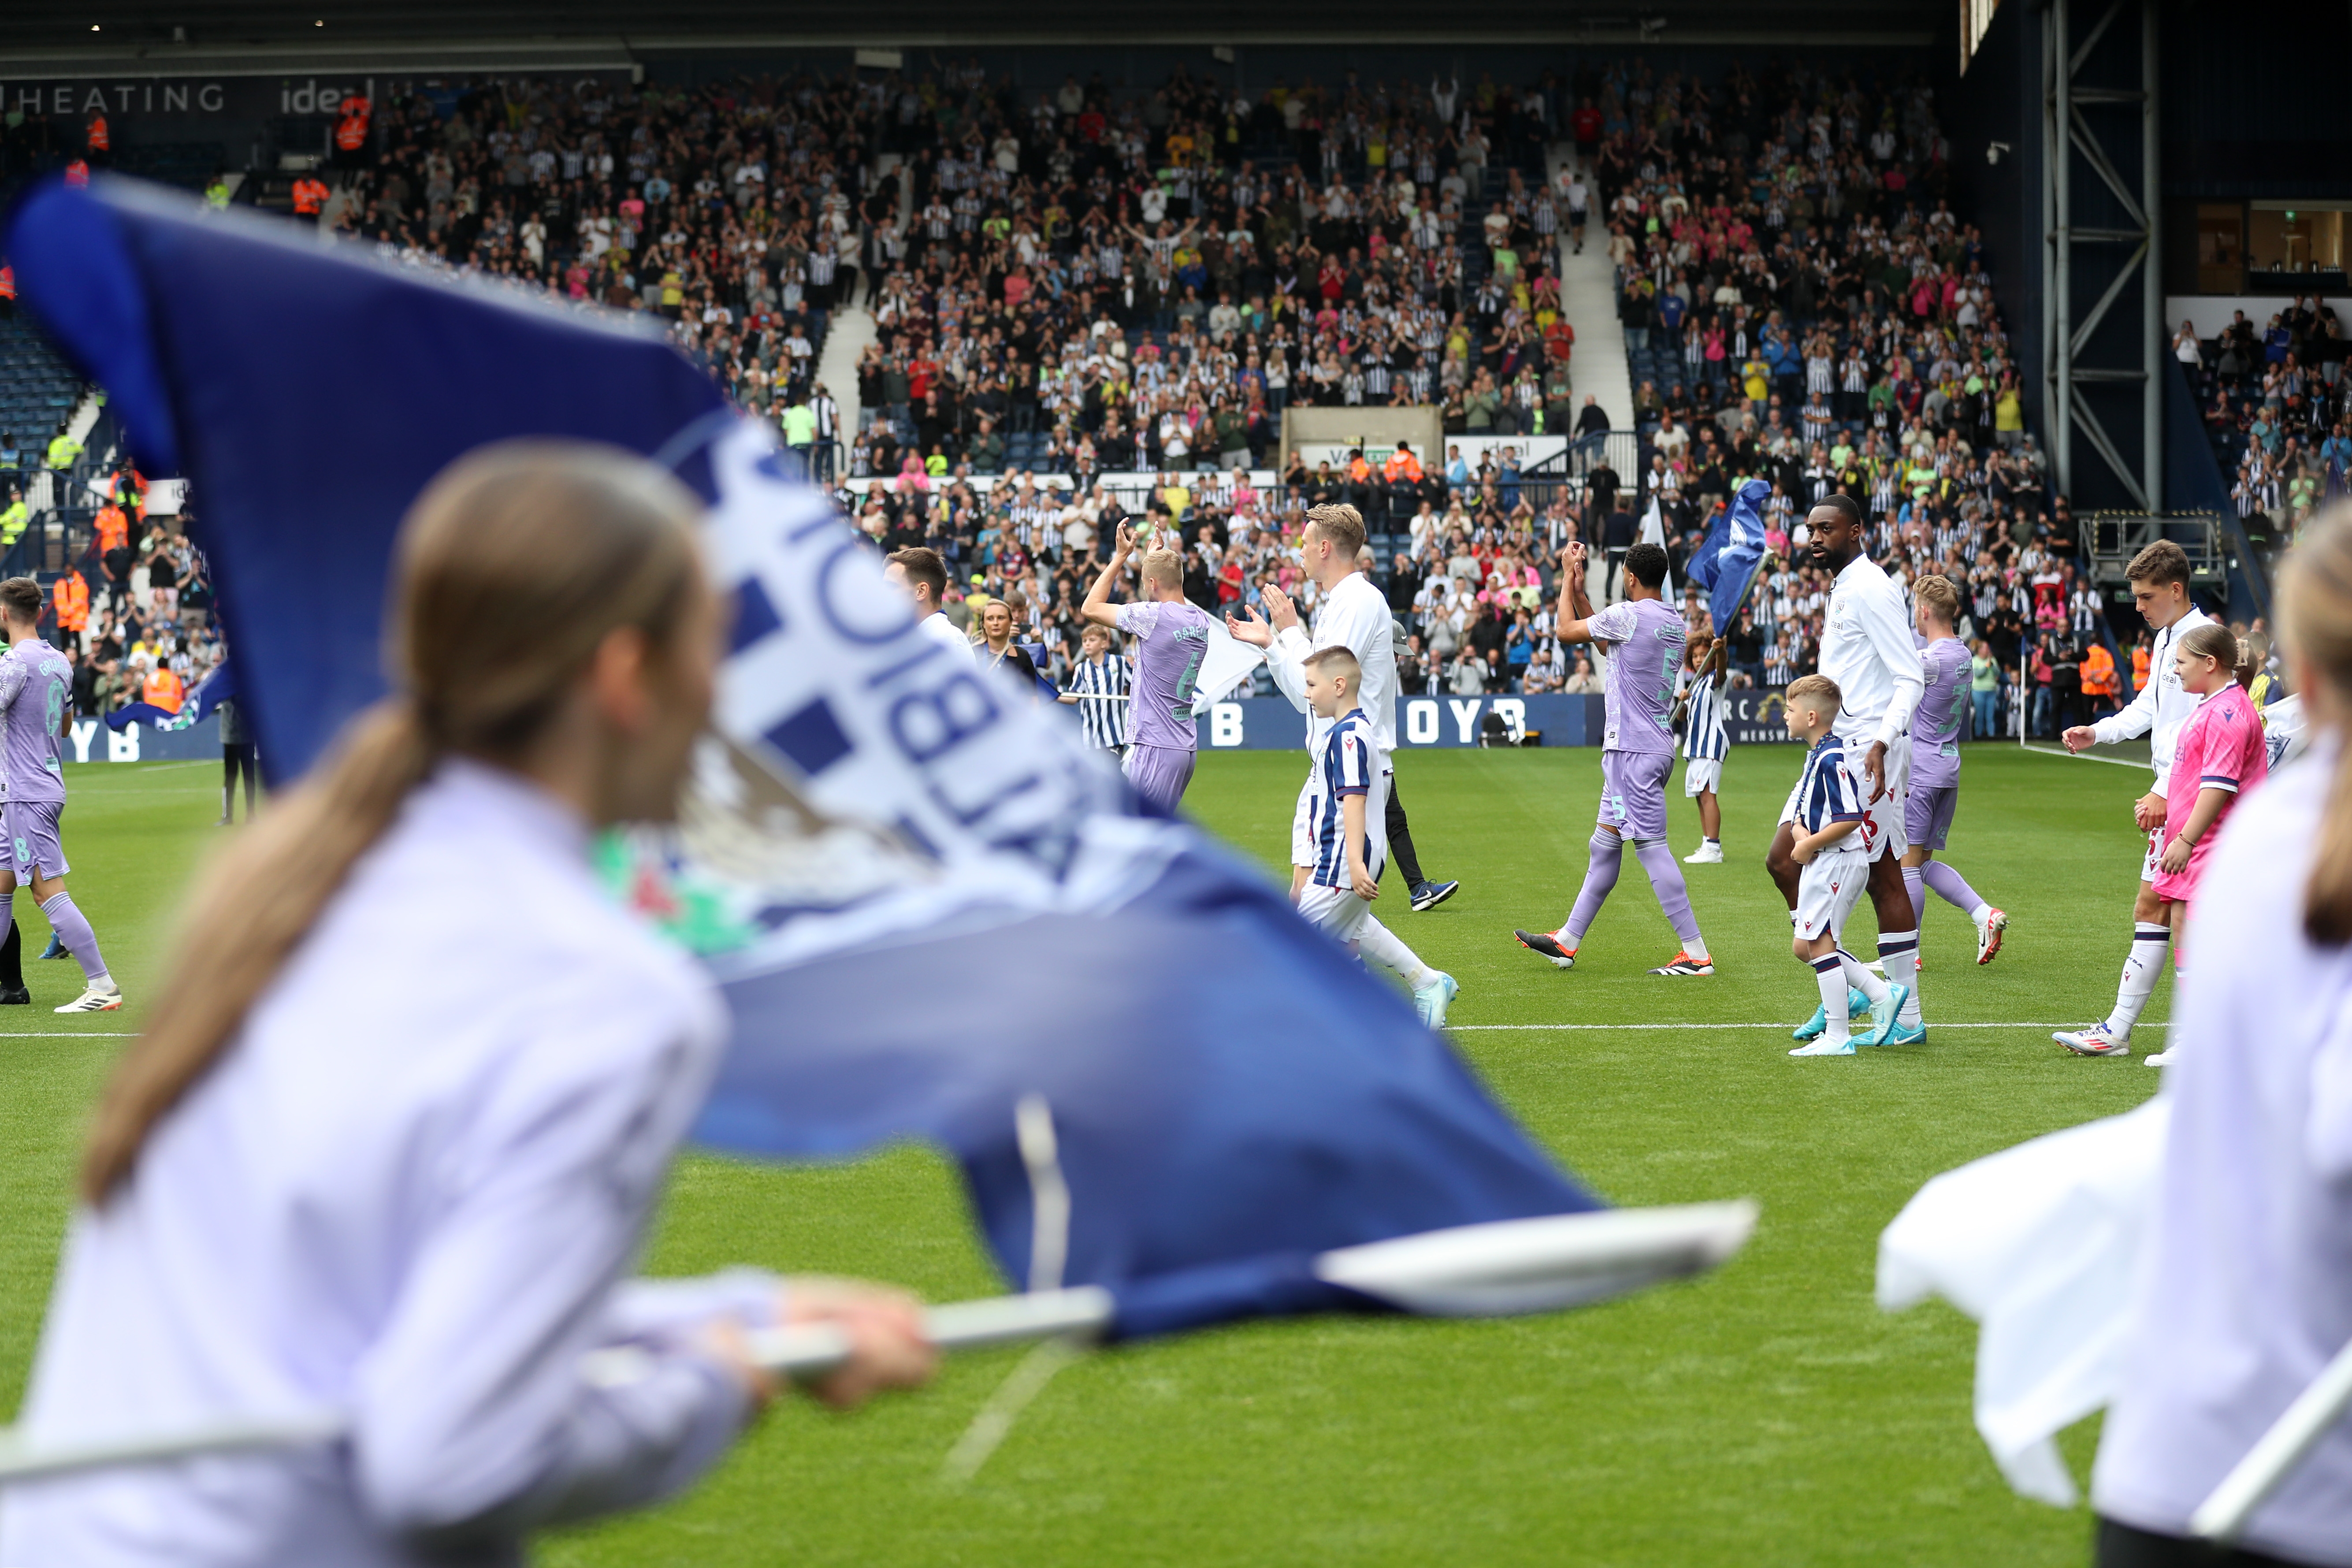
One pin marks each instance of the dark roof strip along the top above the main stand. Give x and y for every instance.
(149, 36)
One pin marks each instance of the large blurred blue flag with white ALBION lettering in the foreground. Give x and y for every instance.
(933, 911)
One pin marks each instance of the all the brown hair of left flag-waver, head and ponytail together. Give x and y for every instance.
(509, 575)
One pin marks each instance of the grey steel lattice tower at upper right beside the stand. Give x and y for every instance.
(2118, 260)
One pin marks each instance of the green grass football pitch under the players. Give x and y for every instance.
(1768, 1414)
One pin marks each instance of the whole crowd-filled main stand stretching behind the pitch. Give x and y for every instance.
(1088, 304)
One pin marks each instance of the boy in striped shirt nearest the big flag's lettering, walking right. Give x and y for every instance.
(1347, 831)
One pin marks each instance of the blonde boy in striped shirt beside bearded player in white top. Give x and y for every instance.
(1833, 869)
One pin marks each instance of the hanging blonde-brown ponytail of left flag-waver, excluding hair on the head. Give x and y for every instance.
(248, 918)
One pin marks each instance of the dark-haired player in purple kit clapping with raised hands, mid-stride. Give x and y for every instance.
(1641, 645)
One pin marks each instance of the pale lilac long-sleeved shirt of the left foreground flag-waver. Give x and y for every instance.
(408, 1193)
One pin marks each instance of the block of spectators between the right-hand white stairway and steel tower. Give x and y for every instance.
(1803, 304)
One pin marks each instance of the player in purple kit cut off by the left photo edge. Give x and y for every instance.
(36, 688)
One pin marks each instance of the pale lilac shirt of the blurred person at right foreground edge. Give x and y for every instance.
(2247, 1289)
